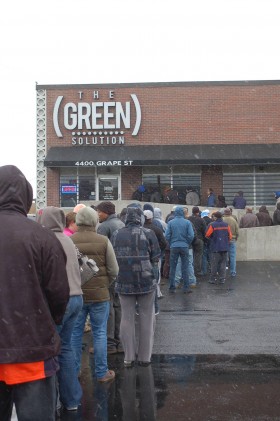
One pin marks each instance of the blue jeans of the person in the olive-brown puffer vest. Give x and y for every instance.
(98, 313)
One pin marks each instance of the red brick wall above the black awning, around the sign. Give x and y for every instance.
(188, 114)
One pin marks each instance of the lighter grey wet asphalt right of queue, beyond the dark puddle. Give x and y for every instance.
(240, 317)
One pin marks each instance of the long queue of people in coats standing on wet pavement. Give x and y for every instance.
(43, 309)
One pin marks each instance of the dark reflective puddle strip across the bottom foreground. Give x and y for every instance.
(176, 387)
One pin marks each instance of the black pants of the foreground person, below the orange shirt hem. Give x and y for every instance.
(34, 401)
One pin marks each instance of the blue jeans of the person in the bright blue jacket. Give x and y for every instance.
(175, 253)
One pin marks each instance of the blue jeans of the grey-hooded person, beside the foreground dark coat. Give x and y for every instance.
(70, 391)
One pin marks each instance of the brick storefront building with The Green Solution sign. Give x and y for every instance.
(99, 142)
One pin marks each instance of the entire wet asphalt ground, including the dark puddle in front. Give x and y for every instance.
(216, 357)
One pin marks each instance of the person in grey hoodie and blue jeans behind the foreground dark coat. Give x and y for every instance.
(70, 391)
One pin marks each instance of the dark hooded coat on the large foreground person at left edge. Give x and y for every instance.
(34, 287)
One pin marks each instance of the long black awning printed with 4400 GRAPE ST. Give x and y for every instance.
(162, 155)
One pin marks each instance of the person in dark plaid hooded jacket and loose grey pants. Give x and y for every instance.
(138, 253)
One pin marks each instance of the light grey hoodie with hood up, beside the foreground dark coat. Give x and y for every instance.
(54, 219)
